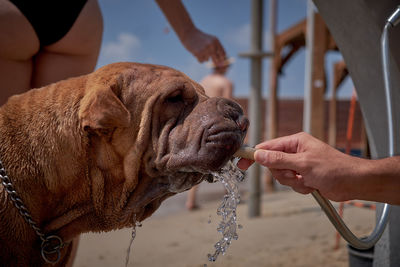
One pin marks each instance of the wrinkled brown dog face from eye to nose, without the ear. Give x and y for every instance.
(195, 135)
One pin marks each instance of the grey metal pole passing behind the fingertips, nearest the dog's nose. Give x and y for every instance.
(255, 104)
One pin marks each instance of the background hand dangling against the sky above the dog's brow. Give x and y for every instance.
(204, 46)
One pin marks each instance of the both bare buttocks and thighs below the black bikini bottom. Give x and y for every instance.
(75, 54)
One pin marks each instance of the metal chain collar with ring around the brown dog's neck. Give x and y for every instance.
(51, 244)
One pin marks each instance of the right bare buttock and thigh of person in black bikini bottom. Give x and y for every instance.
(76, 53)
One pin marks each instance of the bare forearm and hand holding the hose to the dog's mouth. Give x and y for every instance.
(306, 163)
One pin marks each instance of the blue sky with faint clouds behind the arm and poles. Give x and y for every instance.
(136, 30)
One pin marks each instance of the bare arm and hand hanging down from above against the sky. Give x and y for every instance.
(203, 46)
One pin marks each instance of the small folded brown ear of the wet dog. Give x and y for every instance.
(101, 109)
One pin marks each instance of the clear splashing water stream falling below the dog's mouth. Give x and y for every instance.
(230, 176)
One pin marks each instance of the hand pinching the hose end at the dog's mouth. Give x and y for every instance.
(306, 163)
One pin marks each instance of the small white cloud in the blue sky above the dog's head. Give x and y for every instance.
(125, 48)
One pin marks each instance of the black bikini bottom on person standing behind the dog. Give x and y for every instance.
(51, 19)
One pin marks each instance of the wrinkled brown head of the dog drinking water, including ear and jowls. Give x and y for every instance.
(152, 132)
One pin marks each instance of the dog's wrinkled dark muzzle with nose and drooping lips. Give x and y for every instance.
(205, 143)
